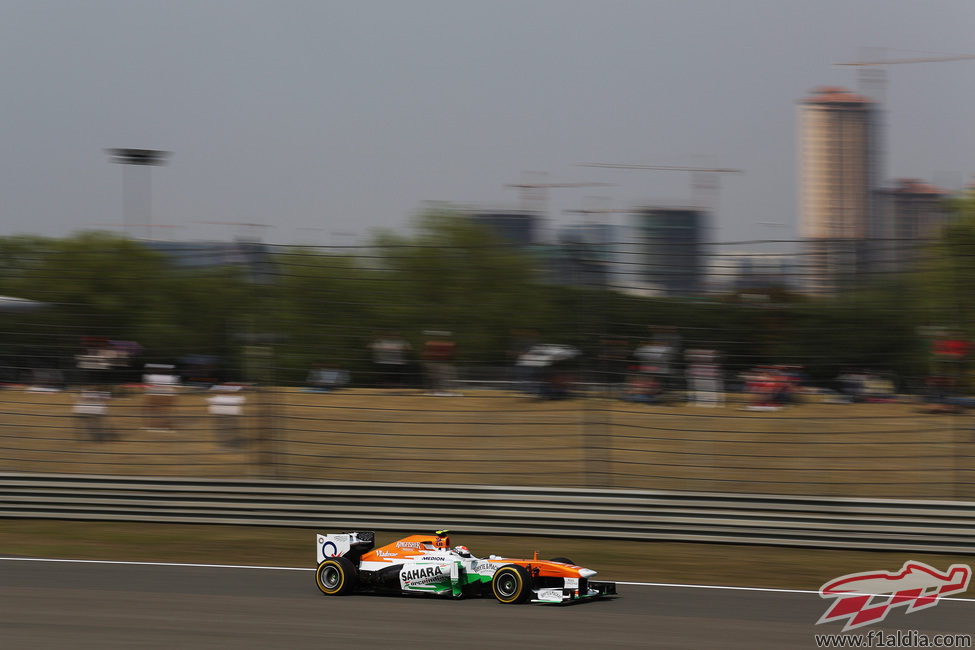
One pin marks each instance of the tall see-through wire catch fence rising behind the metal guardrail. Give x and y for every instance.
(465, 364)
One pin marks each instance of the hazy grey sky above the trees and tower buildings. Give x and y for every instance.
(325, 117)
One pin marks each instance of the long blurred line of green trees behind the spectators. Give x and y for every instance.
(311, 306)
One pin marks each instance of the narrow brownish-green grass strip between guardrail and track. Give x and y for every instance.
(685, 563)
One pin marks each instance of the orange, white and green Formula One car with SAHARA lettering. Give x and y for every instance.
(426, 564)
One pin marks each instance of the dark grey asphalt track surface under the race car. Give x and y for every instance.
(46, 604)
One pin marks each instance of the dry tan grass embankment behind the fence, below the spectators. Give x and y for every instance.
(496, 437)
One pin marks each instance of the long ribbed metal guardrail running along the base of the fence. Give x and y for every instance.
(910, 525)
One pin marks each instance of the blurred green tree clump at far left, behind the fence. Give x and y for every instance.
(98, 284)
